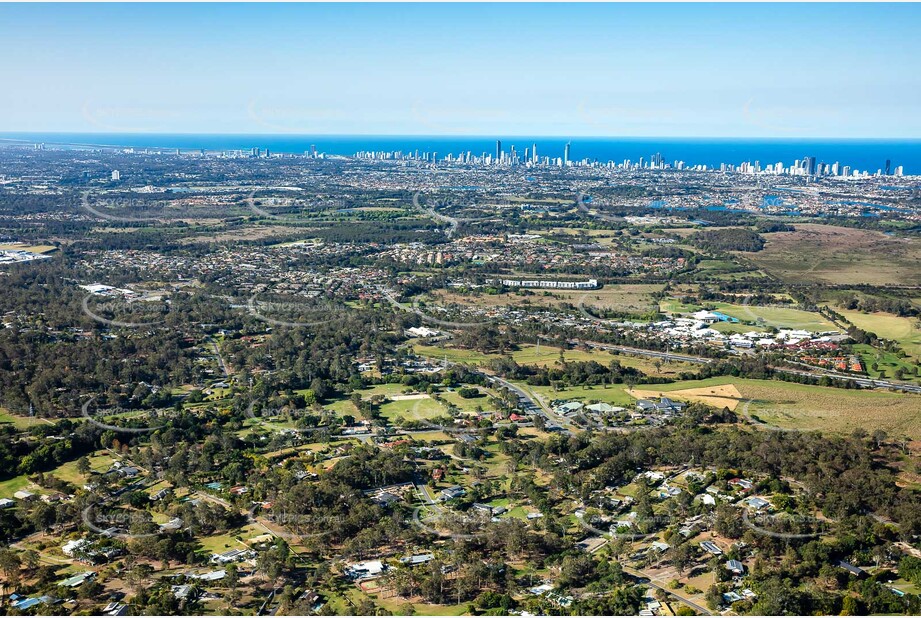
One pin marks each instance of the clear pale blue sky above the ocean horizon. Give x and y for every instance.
(722, 70)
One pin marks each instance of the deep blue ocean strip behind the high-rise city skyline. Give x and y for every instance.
(859, 154)
